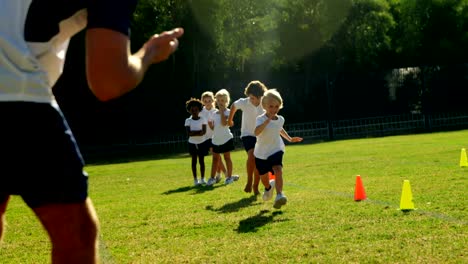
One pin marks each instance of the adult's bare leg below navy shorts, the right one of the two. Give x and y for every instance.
(73, 230)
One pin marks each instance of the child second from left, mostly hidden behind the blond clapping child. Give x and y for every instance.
(208, 111)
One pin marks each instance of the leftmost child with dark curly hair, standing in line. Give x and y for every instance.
(195, 126)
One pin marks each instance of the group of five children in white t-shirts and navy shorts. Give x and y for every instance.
(208, 128)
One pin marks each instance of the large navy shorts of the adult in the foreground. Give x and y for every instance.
(39, 158)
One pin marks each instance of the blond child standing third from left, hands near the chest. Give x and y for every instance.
(222, 139)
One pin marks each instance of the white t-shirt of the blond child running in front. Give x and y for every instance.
(269, 141)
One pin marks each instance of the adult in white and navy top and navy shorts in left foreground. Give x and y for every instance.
(39, 157)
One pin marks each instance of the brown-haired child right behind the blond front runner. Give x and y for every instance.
(251, 108)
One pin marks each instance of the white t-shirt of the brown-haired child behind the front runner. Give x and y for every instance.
(249, 115)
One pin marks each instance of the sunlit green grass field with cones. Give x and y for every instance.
(151, 213)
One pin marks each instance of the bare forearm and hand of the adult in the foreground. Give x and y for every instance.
(112, 70)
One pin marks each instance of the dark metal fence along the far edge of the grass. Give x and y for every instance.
(310, 131)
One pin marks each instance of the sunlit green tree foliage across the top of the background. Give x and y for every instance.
(247, 35)
